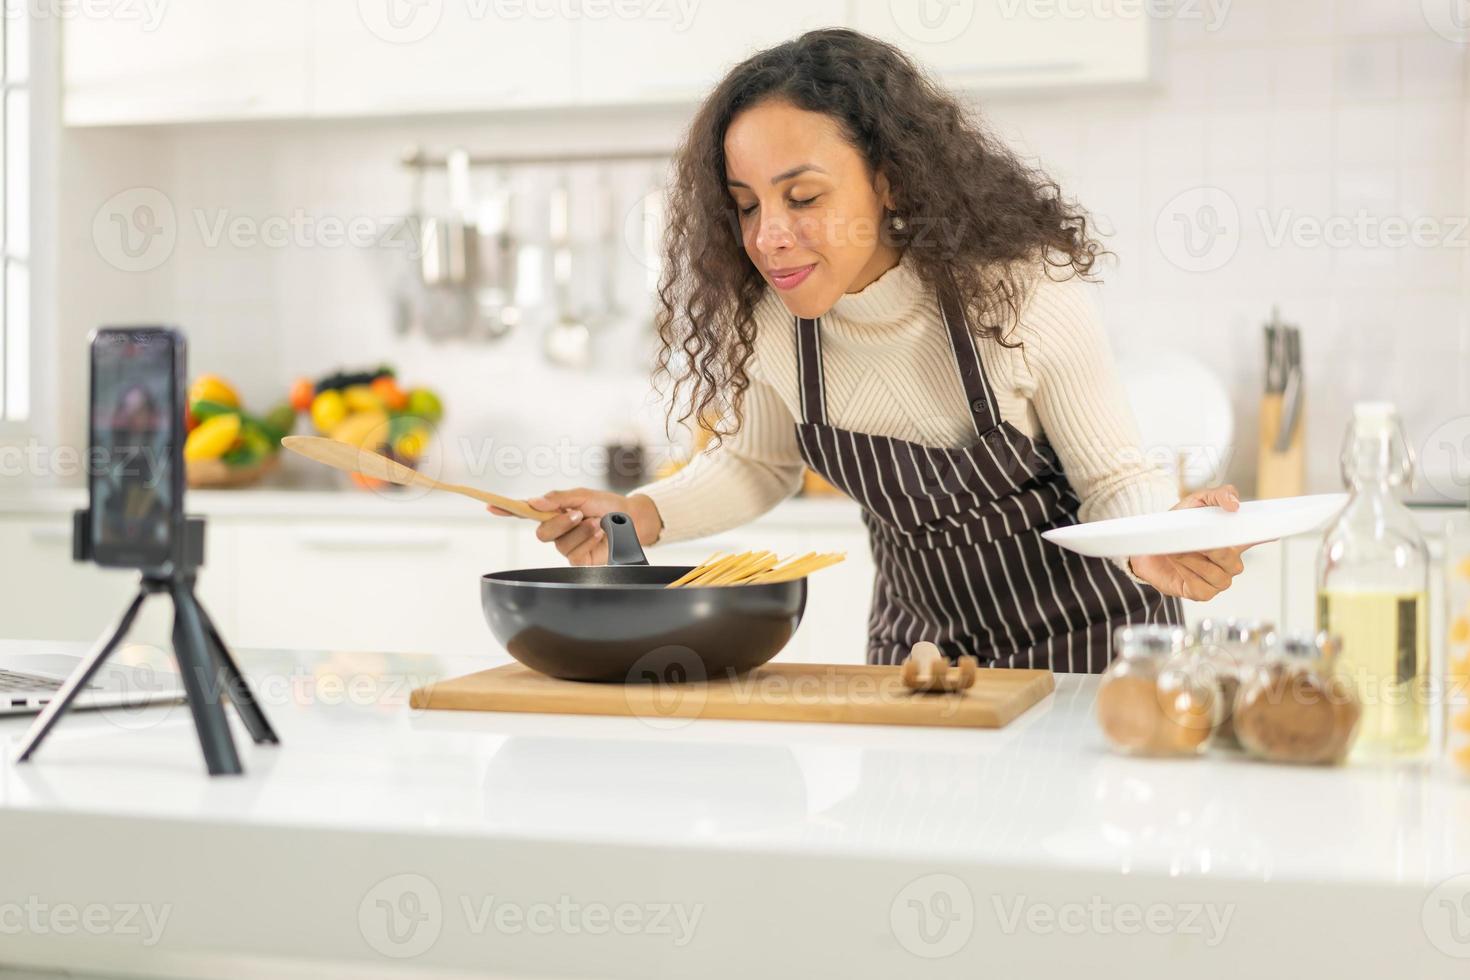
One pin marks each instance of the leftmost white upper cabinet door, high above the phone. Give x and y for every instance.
(202, 60)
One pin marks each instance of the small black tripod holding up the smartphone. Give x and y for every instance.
(205, 665)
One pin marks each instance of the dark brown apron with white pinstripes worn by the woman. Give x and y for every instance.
(956, 534)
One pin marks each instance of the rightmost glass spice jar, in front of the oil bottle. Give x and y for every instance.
(1293, 706)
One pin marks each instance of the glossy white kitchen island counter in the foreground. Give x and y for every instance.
(803, 850)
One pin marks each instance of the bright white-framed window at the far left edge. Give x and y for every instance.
(15, 214)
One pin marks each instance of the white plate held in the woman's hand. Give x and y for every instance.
(1200, 528)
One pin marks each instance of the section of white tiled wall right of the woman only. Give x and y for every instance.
(1305, 114)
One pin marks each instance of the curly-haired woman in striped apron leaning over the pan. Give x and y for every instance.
(862, 281)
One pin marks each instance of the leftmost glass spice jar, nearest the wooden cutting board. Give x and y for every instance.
(1153, 700)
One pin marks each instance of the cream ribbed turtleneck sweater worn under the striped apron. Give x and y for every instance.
(890, 371)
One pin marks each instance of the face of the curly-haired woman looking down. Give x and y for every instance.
(811, 212)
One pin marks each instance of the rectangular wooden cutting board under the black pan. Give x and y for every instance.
(775, 693)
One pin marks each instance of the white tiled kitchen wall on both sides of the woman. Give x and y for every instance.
(1305, 112)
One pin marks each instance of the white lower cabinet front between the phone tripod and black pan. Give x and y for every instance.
(359, 586)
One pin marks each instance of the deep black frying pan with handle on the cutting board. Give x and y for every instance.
(618, 622)
